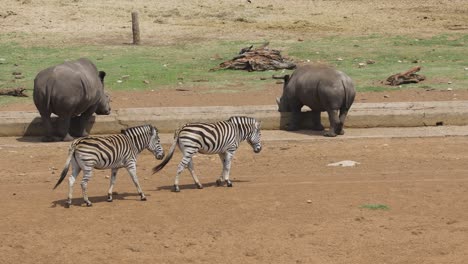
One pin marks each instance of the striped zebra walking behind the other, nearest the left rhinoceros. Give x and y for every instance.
(109, 152)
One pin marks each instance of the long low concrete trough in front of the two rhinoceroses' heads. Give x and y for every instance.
(168, 119)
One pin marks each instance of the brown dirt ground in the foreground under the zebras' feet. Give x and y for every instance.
(264, 218)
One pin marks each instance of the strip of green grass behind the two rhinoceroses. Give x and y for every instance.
(442, 57)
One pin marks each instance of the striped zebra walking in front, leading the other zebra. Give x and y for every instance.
(222, 138)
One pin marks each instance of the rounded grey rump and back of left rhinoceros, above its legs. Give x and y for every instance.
(68, 89)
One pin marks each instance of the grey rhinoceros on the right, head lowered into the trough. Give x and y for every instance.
(321, 88)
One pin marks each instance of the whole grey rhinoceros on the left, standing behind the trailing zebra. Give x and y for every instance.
(74, 89)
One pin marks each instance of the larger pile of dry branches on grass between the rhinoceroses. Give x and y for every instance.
(259, 59)
